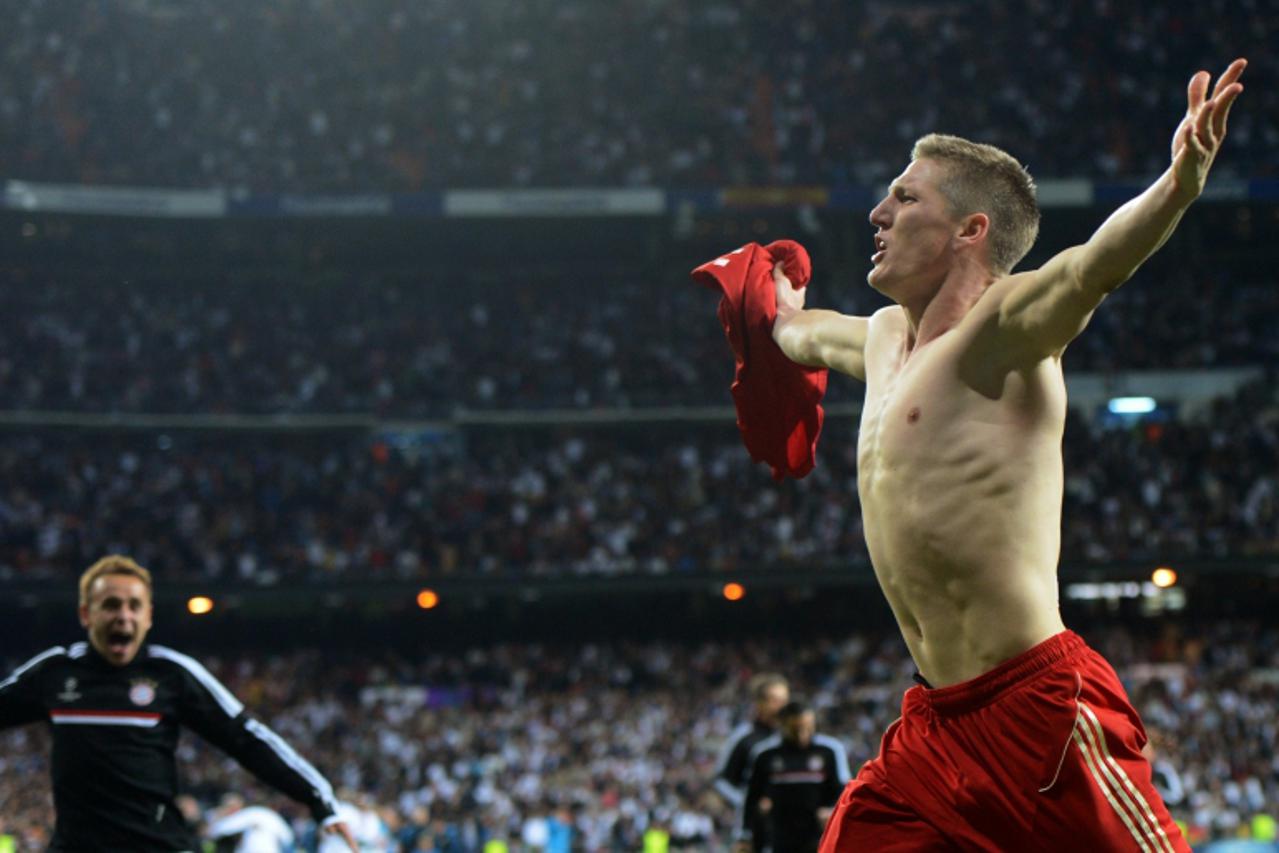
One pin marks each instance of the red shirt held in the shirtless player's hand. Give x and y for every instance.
(778, 402)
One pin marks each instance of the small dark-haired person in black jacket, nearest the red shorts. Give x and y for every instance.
(796, 779)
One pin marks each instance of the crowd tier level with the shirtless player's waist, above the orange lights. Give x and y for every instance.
(579, 501)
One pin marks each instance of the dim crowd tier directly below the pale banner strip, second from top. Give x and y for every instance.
(91, 341)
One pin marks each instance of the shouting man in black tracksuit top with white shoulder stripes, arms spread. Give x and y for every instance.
(116, 705)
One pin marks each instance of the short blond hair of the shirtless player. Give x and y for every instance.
(984, 180)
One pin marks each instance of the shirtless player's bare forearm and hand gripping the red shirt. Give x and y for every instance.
(818, 338)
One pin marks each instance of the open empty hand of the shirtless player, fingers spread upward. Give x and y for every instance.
(1199, 136)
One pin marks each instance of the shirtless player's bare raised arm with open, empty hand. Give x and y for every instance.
(1044, 310)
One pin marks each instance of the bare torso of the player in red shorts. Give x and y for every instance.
(960, 475)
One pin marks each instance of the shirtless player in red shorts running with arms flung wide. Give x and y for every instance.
(1023, 737)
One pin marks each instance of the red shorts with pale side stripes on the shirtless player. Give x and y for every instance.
(1040, 754)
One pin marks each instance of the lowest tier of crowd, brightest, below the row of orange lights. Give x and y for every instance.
(453, 749)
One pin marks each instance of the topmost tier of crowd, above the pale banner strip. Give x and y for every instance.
(324, 95)
